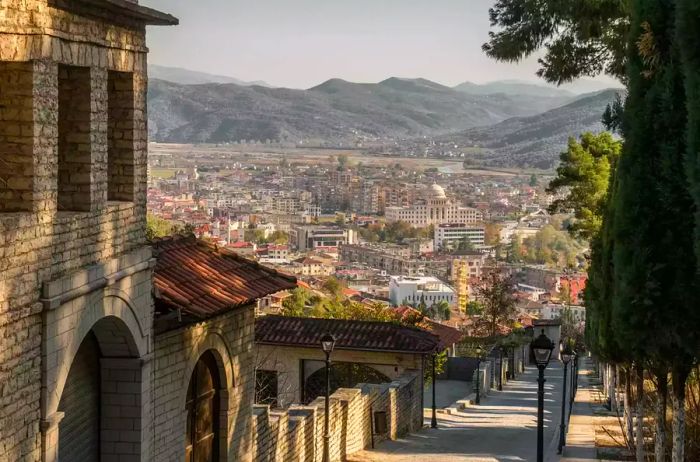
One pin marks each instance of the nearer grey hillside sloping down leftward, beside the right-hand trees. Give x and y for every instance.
(535, 141)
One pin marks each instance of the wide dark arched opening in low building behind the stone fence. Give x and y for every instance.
(343, 375)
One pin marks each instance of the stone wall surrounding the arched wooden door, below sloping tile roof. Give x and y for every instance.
(230, 338)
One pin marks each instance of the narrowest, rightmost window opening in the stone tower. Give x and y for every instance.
(120, 123)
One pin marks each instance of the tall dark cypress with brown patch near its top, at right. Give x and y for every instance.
(653, 259)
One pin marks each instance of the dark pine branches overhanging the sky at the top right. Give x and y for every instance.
(579, 37)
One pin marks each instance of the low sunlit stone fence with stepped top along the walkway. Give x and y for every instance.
(296, 434)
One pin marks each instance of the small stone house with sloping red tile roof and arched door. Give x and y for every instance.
(205, 299)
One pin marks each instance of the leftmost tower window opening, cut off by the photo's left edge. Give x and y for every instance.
(16, 137)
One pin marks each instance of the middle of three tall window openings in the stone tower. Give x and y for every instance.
(74, 145)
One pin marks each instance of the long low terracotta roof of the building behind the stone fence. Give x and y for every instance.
(349, 334)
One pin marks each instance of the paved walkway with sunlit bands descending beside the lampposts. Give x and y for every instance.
(502, 428)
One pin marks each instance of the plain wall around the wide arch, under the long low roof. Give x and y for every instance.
(287, 362)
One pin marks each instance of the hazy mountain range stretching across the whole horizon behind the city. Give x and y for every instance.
(213, 109)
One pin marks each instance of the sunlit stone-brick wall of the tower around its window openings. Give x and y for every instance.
(39, 243)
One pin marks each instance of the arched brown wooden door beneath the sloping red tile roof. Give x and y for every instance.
(203, 416)
